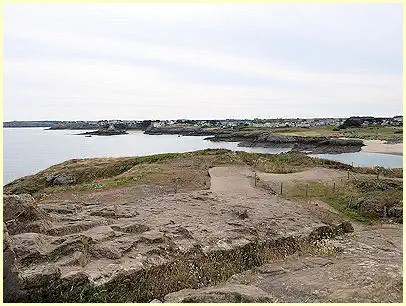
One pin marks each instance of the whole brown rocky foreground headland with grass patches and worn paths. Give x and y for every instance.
(205, 226)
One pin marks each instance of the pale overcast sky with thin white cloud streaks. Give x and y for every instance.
(201, 61)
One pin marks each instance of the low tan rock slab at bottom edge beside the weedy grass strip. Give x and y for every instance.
(230, 293)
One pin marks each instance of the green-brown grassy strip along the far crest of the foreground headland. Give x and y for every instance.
(161, 169)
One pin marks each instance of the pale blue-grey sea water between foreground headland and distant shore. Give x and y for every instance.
(29, 150)
